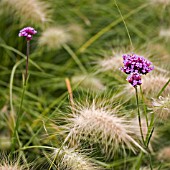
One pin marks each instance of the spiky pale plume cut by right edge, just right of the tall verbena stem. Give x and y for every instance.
(161, 107)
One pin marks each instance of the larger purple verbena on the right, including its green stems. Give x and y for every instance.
(136, 66)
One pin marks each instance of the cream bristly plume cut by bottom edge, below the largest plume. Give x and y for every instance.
(69, 159)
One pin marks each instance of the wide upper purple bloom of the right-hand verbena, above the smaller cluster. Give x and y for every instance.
(134, 63)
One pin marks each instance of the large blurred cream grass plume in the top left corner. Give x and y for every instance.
(29, 11)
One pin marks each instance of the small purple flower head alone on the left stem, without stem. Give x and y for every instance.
(27, 32)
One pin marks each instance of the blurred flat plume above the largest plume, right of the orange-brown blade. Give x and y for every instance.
(88, 82)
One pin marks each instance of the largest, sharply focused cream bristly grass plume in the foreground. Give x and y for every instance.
(100, 125)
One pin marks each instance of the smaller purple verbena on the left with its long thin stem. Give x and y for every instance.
(27, 32)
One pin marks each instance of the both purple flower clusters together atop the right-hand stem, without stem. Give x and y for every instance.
(135, 65)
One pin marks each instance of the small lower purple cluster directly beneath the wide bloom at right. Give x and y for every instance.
(134, 79)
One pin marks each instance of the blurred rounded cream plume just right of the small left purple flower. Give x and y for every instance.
(54, 37)
